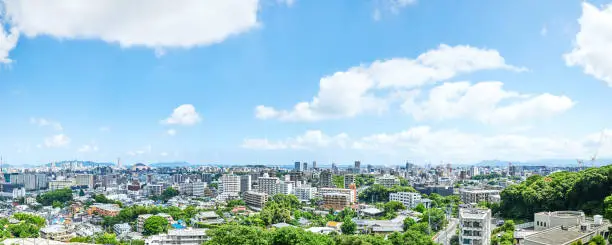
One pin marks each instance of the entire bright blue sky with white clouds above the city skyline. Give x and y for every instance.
(383, 81)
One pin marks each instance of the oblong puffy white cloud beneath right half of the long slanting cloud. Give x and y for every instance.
(483, 102)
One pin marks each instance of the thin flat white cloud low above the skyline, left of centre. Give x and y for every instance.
(312, 139)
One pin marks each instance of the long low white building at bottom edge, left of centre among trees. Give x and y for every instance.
(188, 236)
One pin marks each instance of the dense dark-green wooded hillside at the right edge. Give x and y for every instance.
(585, 190)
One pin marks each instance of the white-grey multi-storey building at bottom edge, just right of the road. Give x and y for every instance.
(475, 226)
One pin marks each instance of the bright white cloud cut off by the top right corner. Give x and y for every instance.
(593, 45)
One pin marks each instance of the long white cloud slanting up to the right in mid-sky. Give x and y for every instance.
(358, 90)
